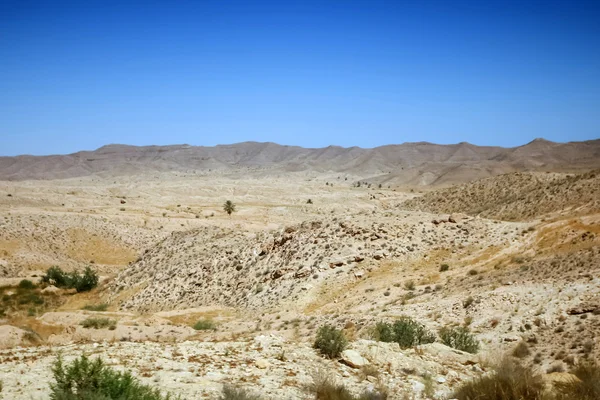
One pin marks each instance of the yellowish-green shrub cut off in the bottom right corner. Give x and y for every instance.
(586, 388)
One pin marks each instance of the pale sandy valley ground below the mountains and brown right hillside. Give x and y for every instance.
(507, 281)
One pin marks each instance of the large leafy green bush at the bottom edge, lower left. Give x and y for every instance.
(92, 380)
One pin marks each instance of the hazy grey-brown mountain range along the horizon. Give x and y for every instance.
(415, 164)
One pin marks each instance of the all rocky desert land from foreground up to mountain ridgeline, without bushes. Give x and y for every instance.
(504, 243)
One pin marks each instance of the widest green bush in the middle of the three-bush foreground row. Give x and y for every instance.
(405, 331)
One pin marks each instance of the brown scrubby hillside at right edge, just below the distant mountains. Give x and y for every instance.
(516, 196)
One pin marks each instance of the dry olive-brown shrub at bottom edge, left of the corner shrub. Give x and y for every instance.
(509, 381)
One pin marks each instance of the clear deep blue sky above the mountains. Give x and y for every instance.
(78, 75)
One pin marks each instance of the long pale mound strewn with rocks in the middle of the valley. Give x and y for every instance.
(212, 266)
